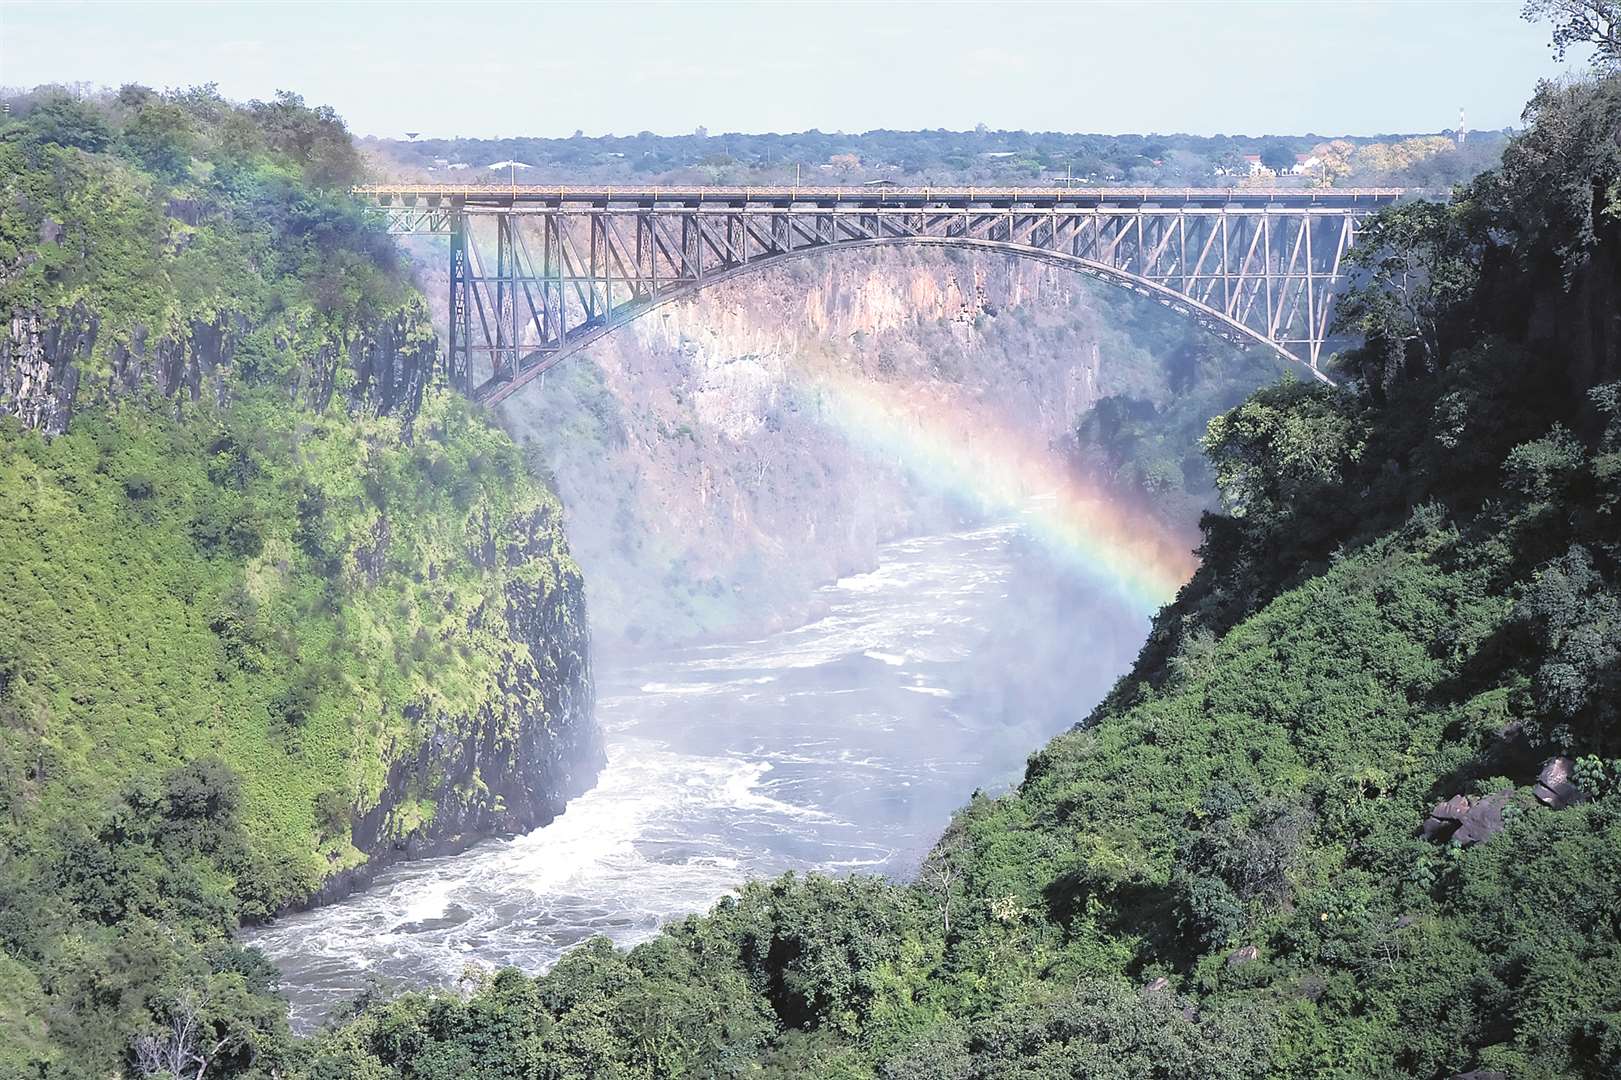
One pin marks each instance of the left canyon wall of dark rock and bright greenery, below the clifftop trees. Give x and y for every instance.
(383, 620)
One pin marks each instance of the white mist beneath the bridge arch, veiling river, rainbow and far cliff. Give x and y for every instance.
(855, 539)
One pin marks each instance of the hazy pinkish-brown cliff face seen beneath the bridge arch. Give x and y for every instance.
(711, 482)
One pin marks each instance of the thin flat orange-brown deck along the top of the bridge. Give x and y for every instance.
(878, 195)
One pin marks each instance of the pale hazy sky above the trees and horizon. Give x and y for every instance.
(474, 69)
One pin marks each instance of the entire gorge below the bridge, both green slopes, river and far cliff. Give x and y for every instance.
(891, 666)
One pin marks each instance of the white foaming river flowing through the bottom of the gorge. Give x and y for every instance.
(840, 747)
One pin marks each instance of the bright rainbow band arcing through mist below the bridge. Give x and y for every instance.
(1006, 473)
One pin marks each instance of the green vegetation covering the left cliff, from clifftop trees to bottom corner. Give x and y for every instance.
(262, 567)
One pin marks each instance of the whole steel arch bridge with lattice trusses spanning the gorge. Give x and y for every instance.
(539, 273)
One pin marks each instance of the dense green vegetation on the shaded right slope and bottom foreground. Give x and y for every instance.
(1414, 593)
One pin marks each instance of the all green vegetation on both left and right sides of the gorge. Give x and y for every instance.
(262, 562)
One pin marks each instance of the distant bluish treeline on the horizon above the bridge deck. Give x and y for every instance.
(939, 156)
